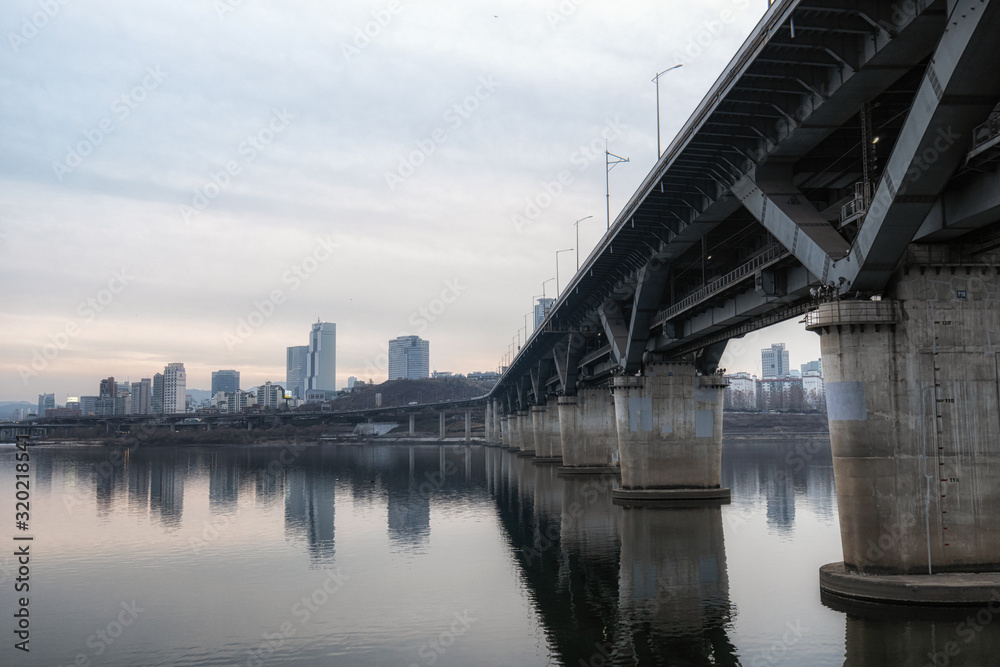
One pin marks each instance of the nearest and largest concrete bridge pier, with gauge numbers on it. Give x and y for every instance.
(912, 387)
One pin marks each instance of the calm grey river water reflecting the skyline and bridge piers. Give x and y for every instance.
(436, 555)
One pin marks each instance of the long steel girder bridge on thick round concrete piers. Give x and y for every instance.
(843, 167)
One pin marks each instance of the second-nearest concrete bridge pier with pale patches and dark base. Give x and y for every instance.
(669, 424)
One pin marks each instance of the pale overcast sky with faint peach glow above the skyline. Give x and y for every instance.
(200, 181)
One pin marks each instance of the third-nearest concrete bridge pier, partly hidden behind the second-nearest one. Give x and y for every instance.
(587, 432)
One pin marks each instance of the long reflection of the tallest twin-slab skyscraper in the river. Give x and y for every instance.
(309, 505)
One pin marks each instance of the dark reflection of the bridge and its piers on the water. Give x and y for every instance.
(615, 585)
